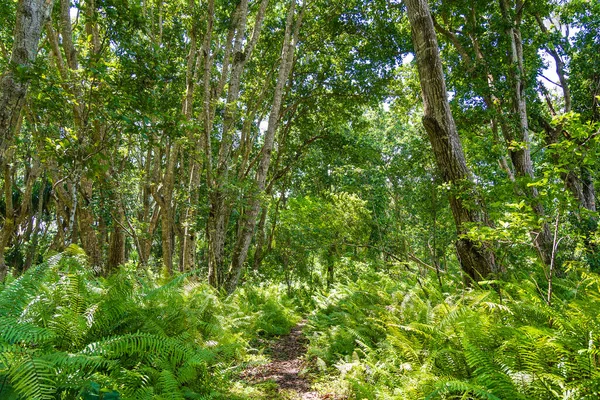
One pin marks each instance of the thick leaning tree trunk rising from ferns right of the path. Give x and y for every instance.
(476, 259)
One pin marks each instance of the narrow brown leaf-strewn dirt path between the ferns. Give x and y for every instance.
(285, 367)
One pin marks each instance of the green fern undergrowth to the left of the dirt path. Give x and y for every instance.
(65, 334)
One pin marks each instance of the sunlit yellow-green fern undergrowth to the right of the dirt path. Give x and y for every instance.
(390, 338)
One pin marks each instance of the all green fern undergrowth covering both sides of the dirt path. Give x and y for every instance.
(66, 334)
